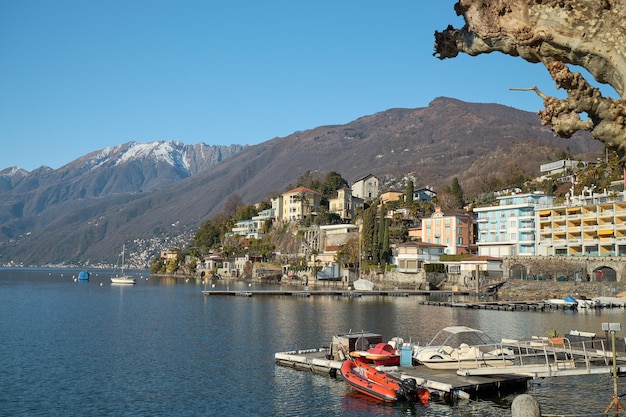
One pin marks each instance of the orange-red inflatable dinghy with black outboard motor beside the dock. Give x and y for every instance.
(368, 380)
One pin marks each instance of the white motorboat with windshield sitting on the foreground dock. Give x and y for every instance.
(462, 347)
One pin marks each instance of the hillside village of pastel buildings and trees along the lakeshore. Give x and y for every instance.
(417, 238)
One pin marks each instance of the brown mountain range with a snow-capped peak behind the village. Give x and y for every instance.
(154, 196)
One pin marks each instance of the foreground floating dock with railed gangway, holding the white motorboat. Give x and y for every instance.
(577, 354)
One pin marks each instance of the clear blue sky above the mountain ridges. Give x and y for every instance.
(78, 76)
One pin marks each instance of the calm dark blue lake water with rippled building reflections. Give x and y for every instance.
(161, 348)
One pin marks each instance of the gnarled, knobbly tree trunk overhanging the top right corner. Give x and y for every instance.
(587, 33)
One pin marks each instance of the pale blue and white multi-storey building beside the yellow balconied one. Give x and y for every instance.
(508, 228)
